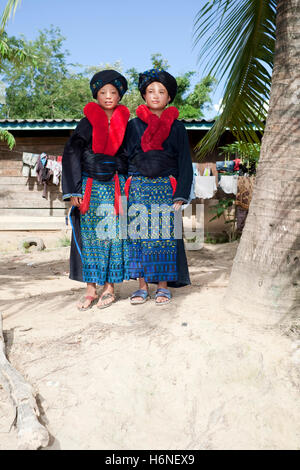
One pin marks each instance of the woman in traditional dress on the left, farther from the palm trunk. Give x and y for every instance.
(93, 180)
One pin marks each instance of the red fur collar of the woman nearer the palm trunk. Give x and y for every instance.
(158, 128)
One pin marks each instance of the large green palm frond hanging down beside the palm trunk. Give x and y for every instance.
(239, 41)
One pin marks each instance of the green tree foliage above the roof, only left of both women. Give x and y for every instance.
(47, 88)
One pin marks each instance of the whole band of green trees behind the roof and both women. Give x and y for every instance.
(47, 87)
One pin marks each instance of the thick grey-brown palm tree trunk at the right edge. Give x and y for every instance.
(265, 278)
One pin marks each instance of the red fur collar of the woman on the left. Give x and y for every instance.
(107, 138)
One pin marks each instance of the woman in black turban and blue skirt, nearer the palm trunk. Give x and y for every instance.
(160, 169)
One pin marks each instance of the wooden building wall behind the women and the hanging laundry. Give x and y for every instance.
(21, 203)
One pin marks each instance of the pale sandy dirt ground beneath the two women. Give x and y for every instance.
(188, 375)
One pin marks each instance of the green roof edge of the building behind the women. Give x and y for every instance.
(69, 124)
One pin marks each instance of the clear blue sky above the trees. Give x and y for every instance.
(108, 31)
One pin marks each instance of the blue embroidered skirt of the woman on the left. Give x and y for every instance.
(104, 253)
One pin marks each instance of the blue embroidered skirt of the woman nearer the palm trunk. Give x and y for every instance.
(152, 257)
